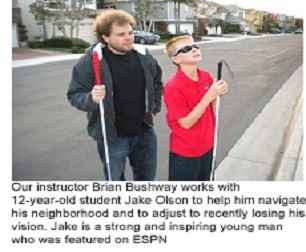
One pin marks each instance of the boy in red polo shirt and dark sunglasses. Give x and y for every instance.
(189, 97)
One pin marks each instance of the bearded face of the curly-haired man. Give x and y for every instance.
(121, 39)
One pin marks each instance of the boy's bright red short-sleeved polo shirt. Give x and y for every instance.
(181, 95)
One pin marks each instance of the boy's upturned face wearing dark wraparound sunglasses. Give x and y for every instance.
(187, 53)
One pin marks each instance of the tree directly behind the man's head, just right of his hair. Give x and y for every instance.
(144, 9)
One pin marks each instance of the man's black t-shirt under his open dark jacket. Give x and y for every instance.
(128, 91)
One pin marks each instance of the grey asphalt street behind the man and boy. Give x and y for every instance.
(50, 141)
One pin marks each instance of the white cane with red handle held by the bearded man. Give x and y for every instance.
(96, 65)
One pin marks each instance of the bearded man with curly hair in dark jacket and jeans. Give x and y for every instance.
(131, 91)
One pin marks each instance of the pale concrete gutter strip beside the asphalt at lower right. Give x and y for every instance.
(255, 155)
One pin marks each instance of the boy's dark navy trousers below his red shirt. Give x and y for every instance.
(190, 169)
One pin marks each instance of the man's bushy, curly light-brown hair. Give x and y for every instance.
(104, 21)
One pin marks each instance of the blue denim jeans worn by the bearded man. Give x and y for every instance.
(142, 154)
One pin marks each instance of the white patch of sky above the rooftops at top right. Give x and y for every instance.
(288, 7)
